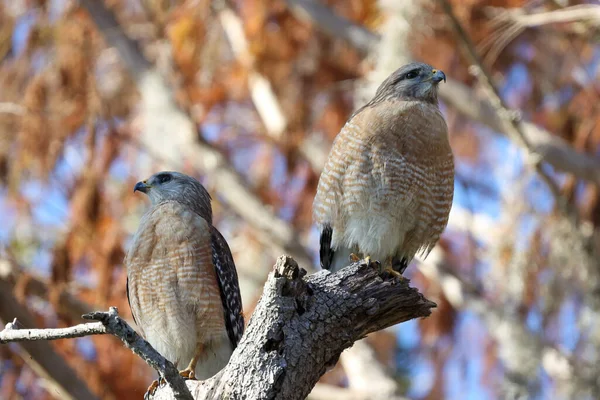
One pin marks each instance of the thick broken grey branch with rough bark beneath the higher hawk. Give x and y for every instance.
(300, 327)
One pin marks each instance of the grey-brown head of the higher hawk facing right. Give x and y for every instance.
(414, 81)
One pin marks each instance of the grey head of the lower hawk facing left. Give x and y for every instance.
(175, 186)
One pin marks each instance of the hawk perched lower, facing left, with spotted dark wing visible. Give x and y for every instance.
(182, 284)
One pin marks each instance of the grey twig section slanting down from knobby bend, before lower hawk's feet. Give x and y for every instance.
(121, 329)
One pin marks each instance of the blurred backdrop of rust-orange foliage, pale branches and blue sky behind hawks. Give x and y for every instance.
(247, 96)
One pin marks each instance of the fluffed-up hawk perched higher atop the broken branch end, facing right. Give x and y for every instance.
(387, 187)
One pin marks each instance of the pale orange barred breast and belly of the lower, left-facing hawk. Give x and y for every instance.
(174, 295)
